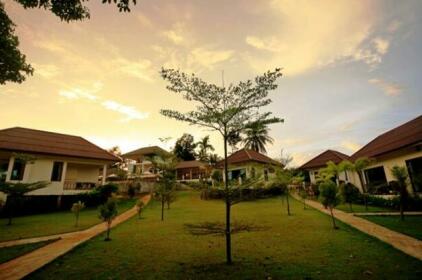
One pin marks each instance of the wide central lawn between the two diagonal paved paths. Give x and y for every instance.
(303, 245)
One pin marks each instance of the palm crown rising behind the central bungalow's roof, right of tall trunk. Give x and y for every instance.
(256, 137)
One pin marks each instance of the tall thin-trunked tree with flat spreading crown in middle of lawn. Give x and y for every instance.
(223, 109)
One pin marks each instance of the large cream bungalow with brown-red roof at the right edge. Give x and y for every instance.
(400, 146)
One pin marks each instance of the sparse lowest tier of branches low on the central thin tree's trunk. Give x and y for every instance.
(218, 228)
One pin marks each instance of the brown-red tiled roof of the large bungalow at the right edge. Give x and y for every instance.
(403, 136)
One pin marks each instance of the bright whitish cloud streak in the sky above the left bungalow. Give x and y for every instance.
(77, 93)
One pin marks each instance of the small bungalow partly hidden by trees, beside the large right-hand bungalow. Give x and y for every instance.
(320, 161)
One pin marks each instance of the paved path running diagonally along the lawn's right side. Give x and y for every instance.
(404, 243)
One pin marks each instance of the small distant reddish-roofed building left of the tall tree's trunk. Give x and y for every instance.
(192, 170)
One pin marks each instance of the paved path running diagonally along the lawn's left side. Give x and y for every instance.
(28, 263)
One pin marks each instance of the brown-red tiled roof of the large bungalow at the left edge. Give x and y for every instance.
(18, 139)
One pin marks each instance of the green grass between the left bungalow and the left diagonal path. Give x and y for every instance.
(53, 223)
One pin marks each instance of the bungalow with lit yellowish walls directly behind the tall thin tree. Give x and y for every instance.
(245, 164)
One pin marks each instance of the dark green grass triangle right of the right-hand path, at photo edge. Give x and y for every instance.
(412, 225)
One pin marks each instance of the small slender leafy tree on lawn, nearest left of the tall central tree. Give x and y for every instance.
(166, 184)
